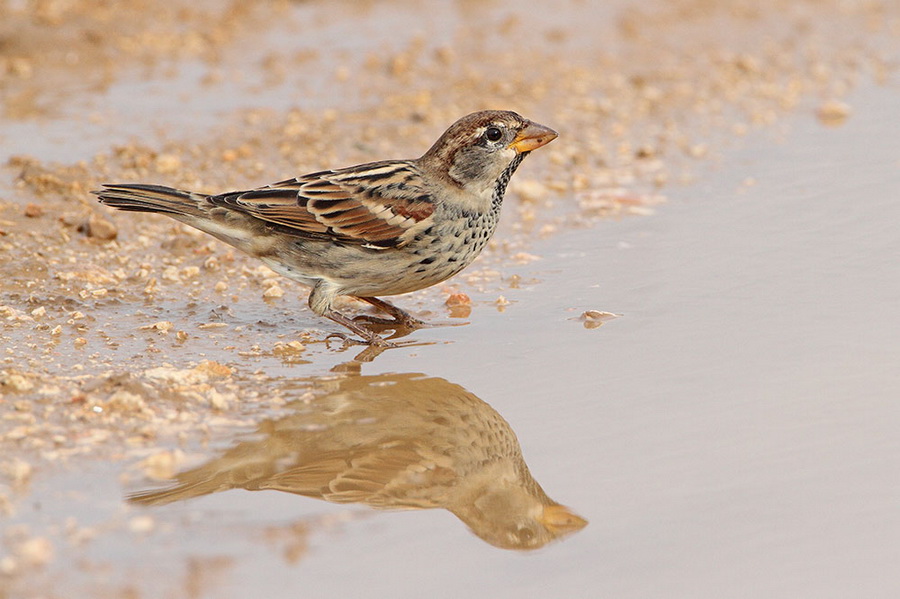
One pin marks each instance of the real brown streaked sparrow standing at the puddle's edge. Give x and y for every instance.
(377, 229)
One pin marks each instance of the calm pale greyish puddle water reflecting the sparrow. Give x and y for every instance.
(731, 433)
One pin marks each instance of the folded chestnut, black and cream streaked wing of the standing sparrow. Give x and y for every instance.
(381, 204)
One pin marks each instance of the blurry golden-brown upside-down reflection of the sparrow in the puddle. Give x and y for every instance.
(392, 441)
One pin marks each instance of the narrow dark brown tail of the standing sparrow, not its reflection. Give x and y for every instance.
(152, 198)
